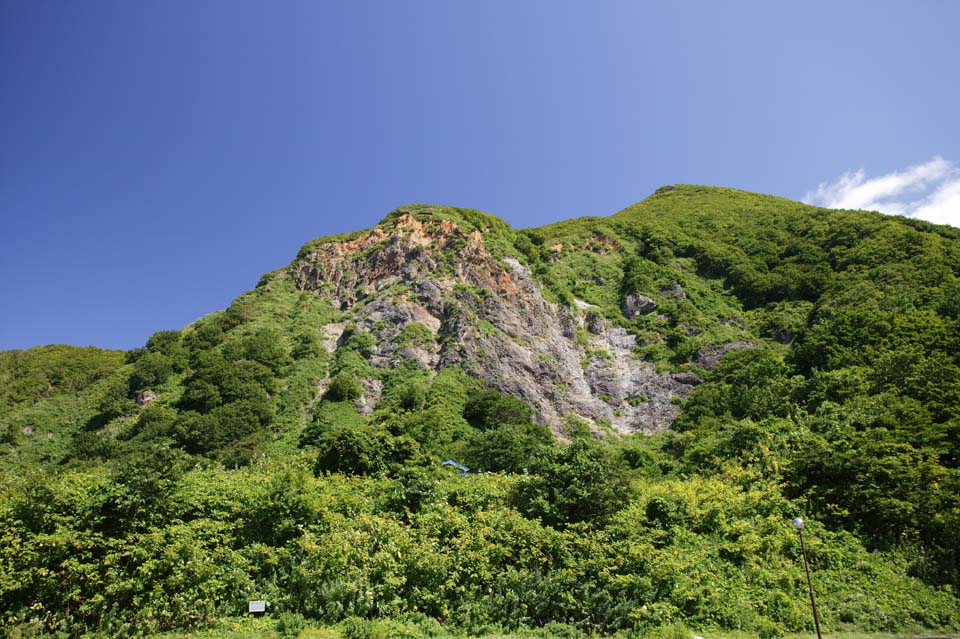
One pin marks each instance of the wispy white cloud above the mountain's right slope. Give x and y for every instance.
(929, 191)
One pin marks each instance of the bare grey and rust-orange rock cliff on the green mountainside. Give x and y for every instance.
(488, 317)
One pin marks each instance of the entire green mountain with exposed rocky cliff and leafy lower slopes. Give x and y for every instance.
(652, 396)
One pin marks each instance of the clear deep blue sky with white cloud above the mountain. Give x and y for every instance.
(157, 157)
